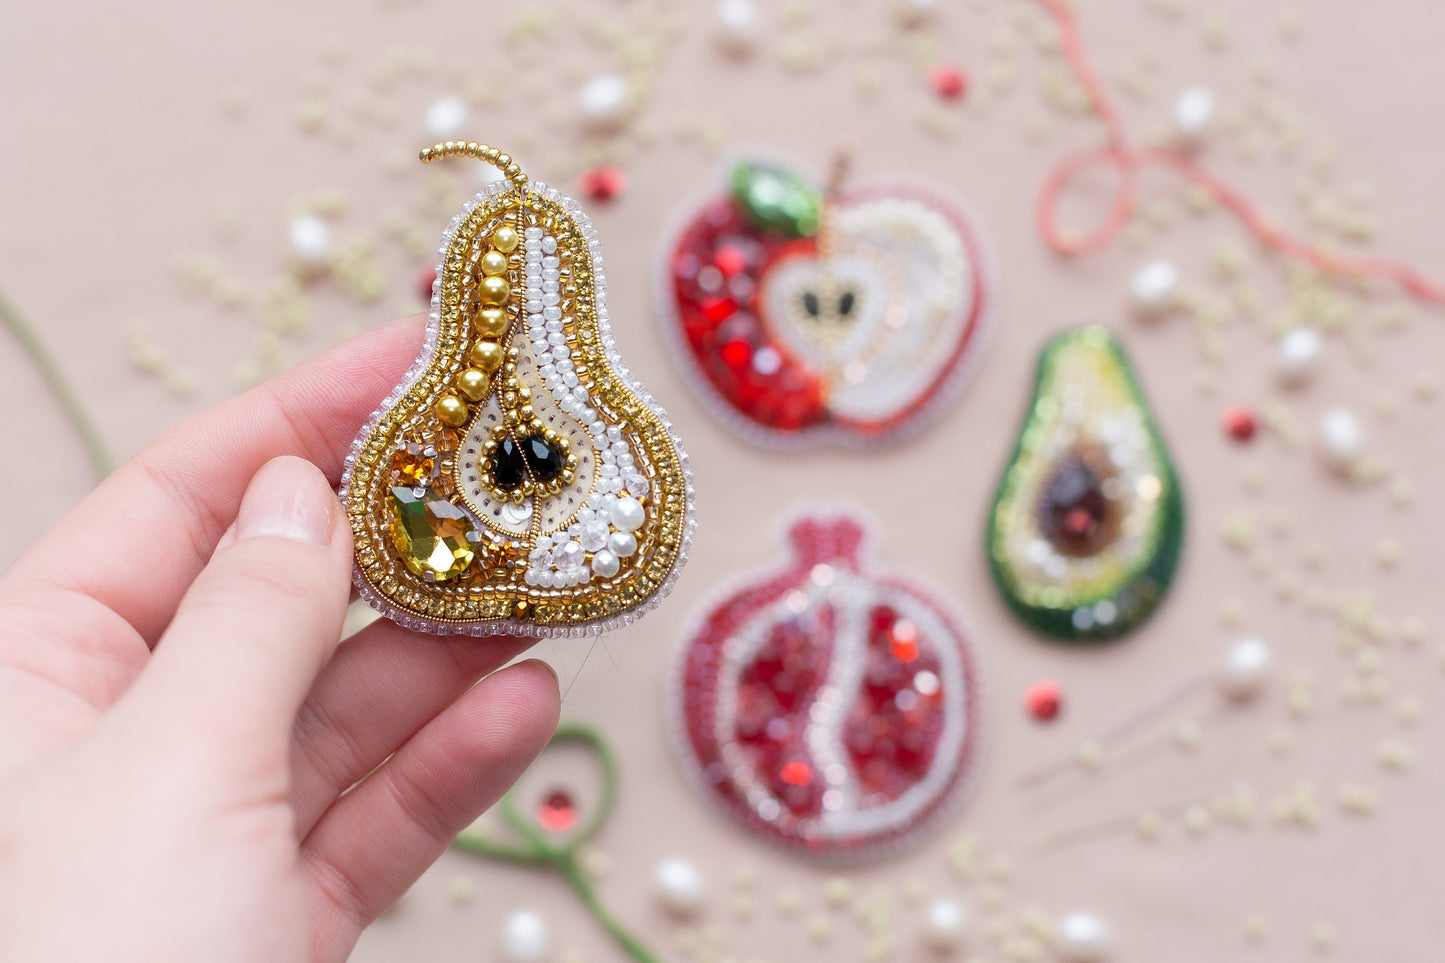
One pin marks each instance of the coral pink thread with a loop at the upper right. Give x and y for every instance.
(1128, 161)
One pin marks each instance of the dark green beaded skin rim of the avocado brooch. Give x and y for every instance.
(1139, 591)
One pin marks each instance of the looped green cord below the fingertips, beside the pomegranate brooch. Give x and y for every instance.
(535, 849)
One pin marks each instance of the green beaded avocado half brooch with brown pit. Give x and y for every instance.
(1089, 520)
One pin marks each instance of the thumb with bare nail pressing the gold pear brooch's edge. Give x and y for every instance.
(256, 627)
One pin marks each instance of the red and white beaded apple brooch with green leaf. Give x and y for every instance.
(824, 314)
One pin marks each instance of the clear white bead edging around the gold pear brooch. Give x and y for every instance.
(624, 374)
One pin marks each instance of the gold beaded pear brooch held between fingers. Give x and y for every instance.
(519, 479)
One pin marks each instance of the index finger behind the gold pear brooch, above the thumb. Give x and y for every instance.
(152, 526)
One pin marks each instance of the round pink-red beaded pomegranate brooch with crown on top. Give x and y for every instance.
(830, 709)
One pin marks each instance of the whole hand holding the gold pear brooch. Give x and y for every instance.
(190, 767)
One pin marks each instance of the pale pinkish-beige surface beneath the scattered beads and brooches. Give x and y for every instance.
(148, 138)
